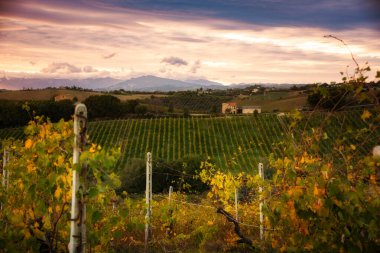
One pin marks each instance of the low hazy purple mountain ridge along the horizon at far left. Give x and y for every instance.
(40, 83)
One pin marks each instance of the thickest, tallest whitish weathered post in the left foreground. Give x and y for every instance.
(78, 209)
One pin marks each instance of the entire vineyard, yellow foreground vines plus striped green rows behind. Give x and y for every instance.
(323, 179)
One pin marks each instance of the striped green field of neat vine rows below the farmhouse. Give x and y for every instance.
(236, 143)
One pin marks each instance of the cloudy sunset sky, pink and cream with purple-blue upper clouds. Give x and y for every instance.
(226, 41)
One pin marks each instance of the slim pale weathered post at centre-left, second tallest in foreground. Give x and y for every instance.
(148, 199)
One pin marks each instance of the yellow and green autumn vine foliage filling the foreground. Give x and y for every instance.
(313, 200)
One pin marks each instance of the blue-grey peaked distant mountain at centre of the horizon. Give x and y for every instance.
(154, 83)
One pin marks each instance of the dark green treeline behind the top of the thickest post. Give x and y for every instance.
(19, 113)
